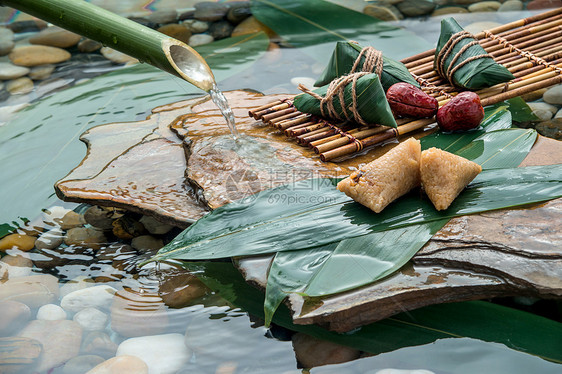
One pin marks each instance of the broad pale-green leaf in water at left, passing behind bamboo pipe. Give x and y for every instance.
(41, 144)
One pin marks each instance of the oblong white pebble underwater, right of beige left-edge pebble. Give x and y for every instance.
(97, 296)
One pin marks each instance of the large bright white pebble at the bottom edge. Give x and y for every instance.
(151, 349)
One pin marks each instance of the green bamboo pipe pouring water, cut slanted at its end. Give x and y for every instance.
(124, 35)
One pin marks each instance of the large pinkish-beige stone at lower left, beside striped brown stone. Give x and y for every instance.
(60, 340)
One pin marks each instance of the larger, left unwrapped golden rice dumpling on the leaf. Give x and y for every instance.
(380, 182)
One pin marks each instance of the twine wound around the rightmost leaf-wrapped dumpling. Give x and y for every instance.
(448, 49)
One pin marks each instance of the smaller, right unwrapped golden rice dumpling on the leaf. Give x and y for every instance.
(444, 175)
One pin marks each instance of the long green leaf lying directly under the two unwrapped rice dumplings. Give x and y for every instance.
(269, 226)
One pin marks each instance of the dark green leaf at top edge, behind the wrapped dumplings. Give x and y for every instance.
(306, 23)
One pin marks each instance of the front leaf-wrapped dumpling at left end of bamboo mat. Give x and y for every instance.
(364, 100)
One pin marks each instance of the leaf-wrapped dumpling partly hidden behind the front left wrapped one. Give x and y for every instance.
(343, 60)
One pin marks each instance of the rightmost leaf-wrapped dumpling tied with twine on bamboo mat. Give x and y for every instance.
(463, 62)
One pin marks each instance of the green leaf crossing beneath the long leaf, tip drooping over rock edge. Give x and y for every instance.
(362, 264)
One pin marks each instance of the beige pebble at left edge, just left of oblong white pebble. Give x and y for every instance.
(34, 290)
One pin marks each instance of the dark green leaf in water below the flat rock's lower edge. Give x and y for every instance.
(518, 330)
